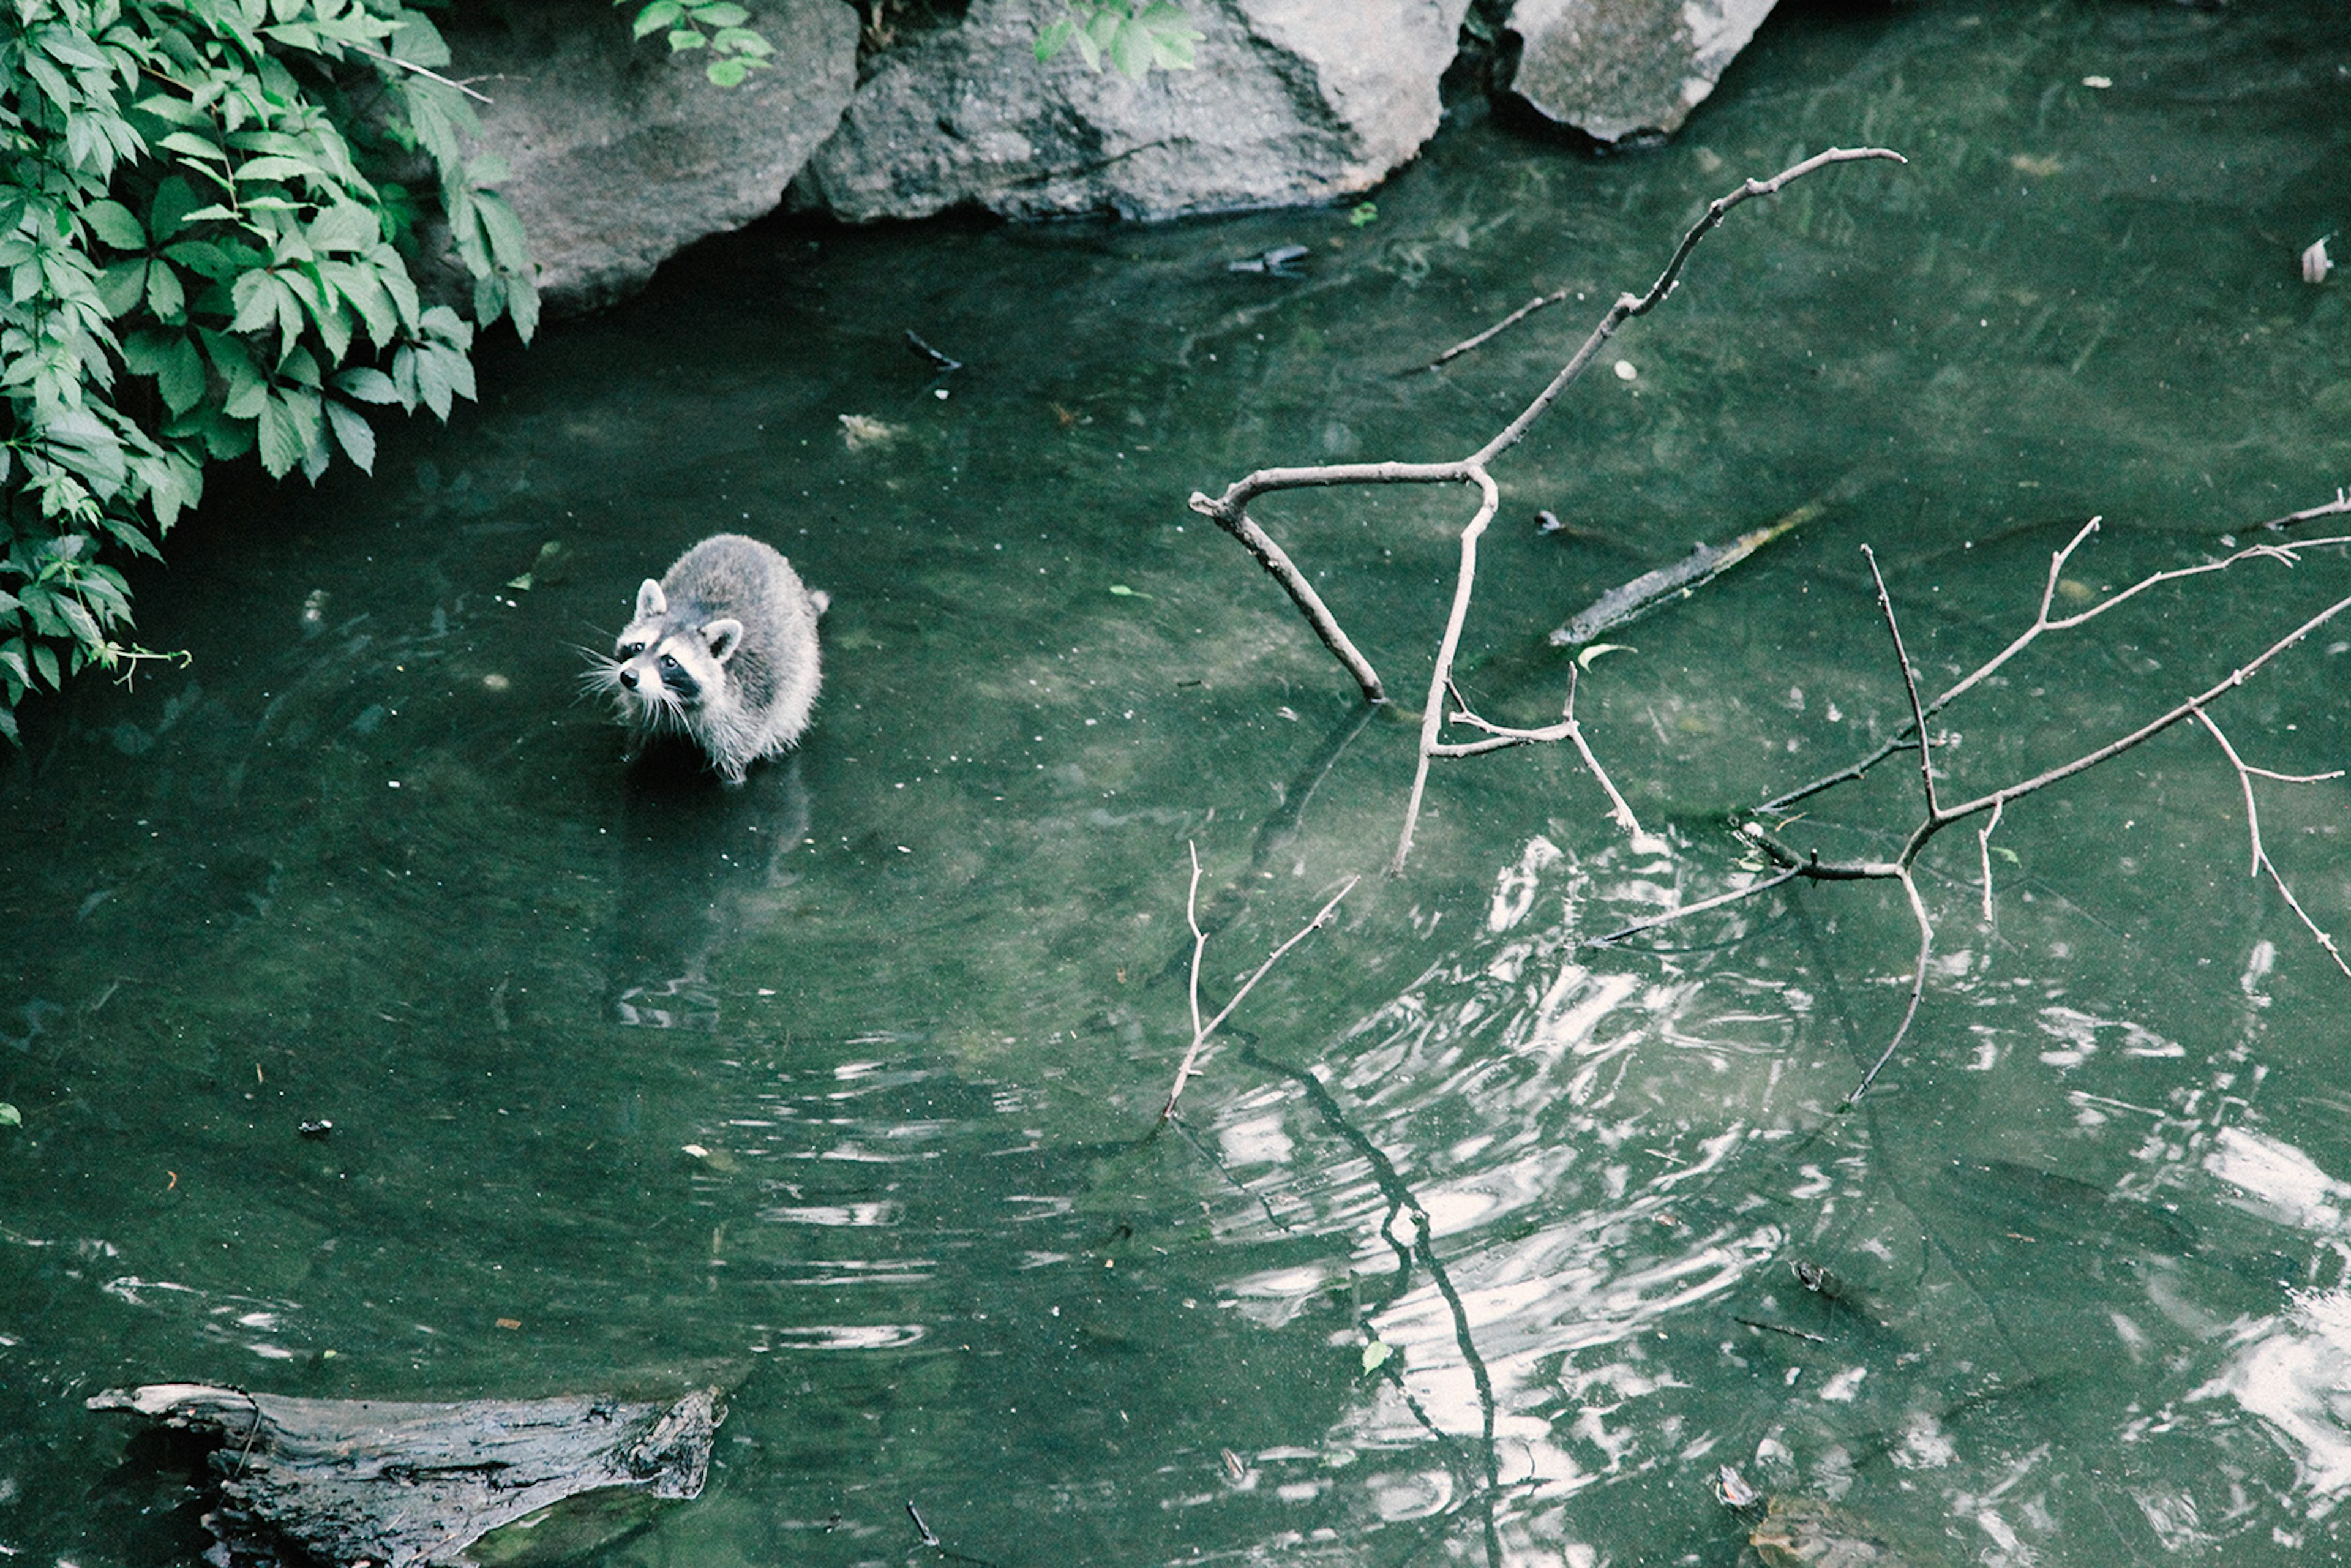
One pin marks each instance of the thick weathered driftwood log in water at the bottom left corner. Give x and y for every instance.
(373, 1485)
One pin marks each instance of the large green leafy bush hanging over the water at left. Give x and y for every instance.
(206, 253)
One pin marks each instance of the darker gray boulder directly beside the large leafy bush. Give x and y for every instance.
(624, 154)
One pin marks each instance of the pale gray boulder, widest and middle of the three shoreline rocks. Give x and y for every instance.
(1292, 102)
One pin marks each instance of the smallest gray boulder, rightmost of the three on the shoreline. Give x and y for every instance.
(1621, 67)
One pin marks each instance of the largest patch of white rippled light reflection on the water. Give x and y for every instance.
(1541, 1120)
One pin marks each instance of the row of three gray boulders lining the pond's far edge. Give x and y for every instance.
(619, 154)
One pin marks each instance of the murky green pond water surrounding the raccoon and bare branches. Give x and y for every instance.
(836, 1090)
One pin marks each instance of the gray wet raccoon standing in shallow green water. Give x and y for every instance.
(723, 650)
